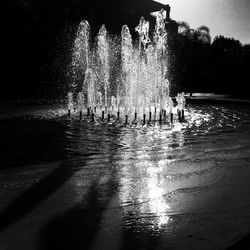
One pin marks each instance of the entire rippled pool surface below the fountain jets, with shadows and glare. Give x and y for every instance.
(66, 184)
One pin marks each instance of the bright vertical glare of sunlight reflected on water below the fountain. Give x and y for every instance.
(144, 174)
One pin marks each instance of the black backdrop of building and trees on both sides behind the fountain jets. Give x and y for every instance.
(38, 37)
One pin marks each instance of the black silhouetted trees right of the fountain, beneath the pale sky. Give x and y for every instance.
(198, 64)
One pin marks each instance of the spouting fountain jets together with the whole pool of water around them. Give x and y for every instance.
(99, 184)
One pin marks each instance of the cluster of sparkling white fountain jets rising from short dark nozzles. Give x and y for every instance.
(139, 91)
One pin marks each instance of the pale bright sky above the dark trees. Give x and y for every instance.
(230, 18)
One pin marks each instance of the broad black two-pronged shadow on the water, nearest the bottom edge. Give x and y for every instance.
(77, 228)
